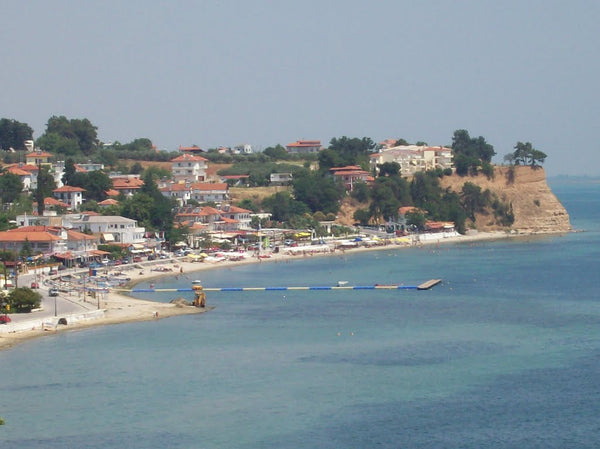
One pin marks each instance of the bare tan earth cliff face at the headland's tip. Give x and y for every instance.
(536, 209)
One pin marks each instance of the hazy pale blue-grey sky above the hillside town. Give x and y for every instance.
(267, 72)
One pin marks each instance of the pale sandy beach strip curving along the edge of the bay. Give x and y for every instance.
(116, 307)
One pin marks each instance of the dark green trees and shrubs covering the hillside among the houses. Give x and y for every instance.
(313, 194)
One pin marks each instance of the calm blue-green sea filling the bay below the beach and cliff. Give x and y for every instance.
(504, 353)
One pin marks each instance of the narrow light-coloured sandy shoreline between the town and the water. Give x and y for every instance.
(119, 308)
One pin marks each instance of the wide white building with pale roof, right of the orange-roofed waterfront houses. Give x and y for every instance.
(109, 228)
